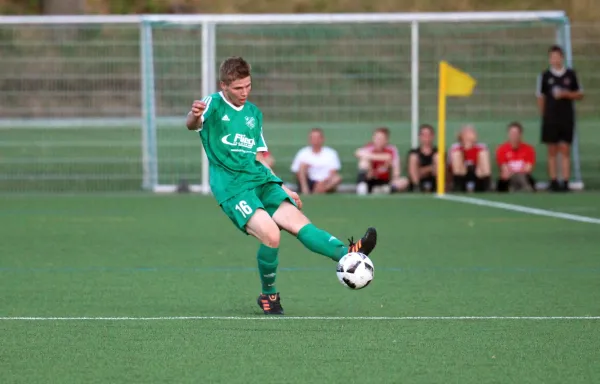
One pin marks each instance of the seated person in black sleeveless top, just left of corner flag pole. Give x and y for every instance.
(422, 162)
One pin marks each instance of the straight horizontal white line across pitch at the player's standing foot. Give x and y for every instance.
(301, 318)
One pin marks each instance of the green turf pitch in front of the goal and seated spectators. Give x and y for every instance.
(174, 256)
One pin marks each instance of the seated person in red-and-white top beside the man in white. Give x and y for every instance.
(379, 165)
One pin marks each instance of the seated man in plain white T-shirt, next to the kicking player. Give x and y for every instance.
(317, 166)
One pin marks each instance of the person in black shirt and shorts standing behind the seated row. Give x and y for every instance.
(557, 89)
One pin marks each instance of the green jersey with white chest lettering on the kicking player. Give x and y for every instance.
(231, 137)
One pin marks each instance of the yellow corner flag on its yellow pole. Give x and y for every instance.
(453, 82)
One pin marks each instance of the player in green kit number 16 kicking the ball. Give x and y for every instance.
(249, 193)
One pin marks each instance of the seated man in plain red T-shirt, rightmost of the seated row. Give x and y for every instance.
(516, 160)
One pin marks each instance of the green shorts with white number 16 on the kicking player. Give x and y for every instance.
(241, 207)
